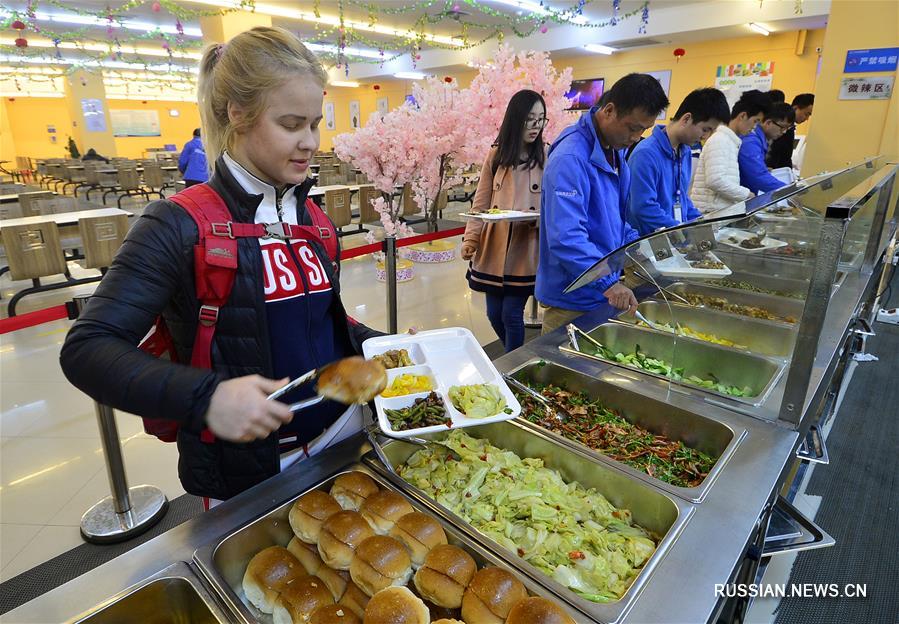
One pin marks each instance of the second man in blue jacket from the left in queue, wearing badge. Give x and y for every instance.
(662, 163)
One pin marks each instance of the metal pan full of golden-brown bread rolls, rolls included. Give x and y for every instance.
(356, 550)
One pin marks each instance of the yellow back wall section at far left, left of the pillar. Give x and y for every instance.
(29, 118)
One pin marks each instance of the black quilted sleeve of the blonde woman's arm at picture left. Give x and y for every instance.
(100, 354)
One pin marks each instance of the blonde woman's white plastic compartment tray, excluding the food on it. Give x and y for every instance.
(450, 357)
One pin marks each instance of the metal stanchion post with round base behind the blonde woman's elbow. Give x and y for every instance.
(128, 511)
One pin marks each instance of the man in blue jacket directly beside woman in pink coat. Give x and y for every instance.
(584, 199)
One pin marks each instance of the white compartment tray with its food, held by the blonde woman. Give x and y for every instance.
(437, 380)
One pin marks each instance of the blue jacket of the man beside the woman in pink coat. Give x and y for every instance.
(582, 218)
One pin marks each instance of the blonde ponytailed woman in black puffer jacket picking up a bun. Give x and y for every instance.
(260, 99)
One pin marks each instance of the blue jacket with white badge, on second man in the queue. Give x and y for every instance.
(658, 179)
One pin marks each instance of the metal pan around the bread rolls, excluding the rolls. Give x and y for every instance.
(223, 563)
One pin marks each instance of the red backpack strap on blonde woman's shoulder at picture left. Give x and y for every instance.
(215, 263)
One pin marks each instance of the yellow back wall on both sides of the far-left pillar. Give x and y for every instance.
(30, 138)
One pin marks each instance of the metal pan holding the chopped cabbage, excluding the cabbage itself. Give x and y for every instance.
(653, 509)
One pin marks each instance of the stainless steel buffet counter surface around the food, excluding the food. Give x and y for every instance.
(714, 524)
